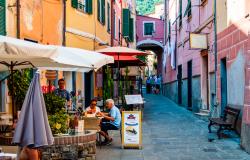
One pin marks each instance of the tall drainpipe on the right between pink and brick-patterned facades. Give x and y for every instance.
(215, 48)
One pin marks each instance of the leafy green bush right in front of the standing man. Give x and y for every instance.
(54, 103)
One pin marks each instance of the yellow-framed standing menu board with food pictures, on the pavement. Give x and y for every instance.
(131, 129)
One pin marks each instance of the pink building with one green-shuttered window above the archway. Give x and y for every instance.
(150, 36)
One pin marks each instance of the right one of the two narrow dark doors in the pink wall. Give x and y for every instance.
(189, 83)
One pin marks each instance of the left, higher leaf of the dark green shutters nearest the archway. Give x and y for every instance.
(125, 22)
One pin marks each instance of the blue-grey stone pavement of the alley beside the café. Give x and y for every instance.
(171, 132)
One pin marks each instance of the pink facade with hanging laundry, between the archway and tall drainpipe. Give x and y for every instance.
(188, 74)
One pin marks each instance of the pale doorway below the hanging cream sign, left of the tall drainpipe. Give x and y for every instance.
(205, 83)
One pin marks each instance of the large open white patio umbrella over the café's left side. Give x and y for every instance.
(20, 54)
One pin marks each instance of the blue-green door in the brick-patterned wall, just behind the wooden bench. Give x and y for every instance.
(223, 70)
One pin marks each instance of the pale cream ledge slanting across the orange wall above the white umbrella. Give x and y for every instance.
(84, 34)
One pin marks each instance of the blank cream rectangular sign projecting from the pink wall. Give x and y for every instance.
(198, 41)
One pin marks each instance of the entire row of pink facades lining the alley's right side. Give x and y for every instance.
(217, 76)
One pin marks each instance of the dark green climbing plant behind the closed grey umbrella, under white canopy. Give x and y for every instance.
(20, 86)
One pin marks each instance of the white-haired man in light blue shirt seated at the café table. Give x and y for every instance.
(110, 122)
